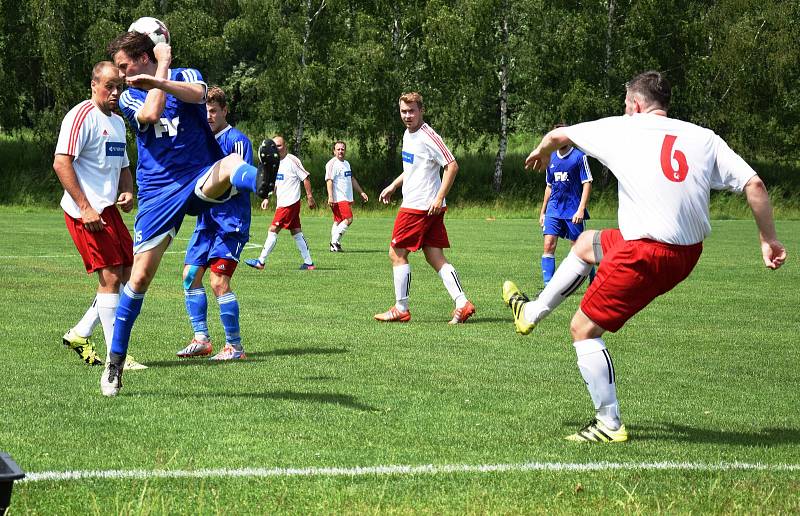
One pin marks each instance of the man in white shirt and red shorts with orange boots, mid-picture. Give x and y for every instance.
(420, 222)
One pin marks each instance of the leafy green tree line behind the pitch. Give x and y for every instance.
(487, 68)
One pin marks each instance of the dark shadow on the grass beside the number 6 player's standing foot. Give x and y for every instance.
(676, 432)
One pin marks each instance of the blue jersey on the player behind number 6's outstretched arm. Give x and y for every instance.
(565, 177)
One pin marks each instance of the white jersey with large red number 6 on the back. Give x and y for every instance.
(666, 169)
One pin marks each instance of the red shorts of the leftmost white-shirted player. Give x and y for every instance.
(112, 246)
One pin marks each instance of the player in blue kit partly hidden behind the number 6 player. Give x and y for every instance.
(569, 183)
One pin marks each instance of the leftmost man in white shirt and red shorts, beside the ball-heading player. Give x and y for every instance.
(92, 164)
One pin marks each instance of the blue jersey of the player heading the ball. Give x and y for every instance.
(172, 151)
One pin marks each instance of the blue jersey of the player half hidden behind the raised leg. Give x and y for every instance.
(233, 216)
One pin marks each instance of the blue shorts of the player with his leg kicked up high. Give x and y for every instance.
(162, 215)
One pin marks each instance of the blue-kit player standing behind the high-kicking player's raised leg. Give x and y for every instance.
(217, 242)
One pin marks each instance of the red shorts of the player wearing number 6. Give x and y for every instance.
(631, 274)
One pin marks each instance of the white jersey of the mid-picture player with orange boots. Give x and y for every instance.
(424, 155)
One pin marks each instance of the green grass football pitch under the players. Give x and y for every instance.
(707, 378)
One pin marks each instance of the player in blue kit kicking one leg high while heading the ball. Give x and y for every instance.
(181, 170)
